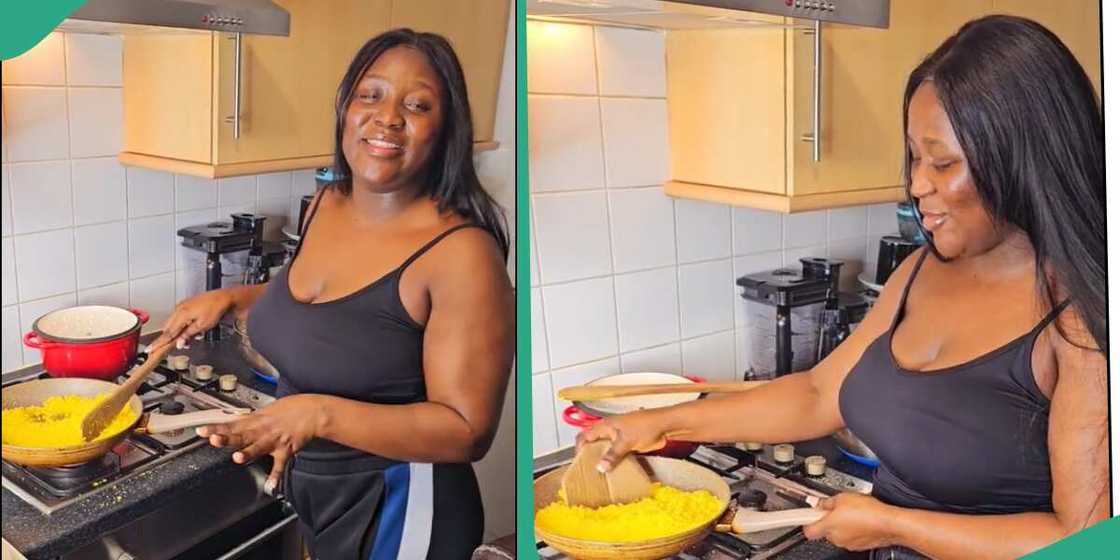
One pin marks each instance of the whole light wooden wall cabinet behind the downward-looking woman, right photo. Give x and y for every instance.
(741, 102)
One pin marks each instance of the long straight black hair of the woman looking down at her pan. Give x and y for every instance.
(1032, 130)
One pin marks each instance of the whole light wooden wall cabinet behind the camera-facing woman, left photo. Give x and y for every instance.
(180, 88)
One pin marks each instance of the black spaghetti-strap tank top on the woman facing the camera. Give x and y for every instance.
(363, 347)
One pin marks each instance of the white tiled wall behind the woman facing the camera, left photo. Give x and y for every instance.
(79, 228)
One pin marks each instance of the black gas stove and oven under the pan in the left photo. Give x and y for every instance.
(240, 518)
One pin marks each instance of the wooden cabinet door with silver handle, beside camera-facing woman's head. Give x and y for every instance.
(288, 85)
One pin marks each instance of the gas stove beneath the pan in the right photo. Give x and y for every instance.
(757, 475)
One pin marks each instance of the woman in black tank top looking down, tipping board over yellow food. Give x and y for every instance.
(979, 378)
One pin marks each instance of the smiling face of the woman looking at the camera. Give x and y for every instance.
(394, 120)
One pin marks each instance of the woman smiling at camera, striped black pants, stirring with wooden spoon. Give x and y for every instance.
(393, 326)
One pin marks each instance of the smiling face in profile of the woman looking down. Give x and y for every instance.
(941, 182)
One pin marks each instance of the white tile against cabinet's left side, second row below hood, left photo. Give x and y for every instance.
(97, 117)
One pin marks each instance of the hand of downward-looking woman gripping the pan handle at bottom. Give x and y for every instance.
(854, 522)
